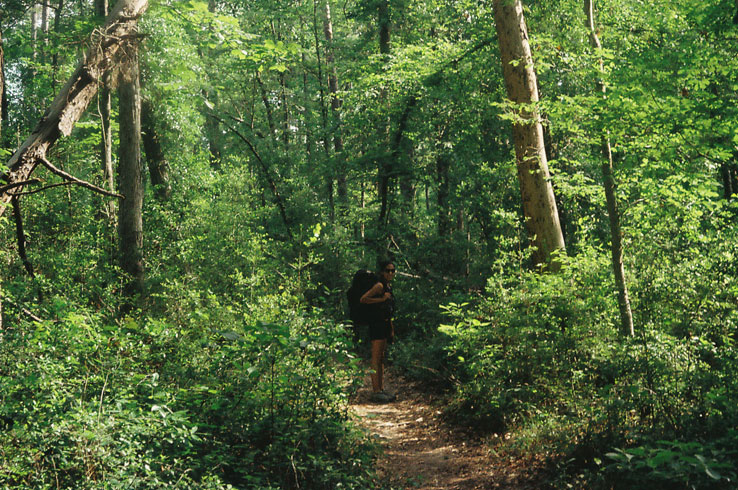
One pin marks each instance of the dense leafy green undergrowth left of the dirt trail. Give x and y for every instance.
(224, 379)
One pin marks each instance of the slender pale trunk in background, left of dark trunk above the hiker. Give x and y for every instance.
(336, 104)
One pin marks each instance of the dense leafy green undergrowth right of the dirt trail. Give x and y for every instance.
(538, 357)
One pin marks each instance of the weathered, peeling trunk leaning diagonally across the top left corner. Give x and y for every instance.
(73, 99)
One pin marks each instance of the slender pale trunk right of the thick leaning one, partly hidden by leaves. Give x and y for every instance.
(616, 234)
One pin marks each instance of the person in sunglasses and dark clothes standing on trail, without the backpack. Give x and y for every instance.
(381, 328)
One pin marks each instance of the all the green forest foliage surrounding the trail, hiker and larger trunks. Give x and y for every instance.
(236, 369)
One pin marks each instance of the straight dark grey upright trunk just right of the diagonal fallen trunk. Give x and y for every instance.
(130, 176)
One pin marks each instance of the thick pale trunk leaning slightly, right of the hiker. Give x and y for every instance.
(539, 203)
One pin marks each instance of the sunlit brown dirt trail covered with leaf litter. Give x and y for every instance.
(422, 451)
